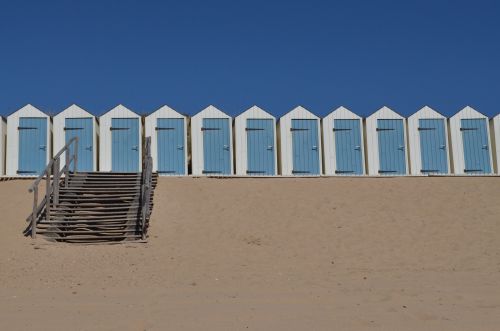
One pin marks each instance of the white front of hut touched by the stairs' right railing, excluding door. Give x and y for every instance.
(150, 125)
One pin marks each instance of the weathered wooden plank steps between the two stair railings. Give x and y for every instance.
(96, 207)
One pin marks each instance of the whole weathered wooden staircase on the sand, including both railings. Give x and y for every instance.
(93, 207)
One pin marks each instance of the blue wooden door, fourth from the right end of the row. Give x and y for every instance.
(348, 155)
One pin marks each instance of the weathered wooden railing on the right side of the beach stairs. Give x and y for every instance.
(146, 187)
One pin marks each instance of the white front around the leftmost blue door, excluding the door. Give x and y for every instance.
(13, 136)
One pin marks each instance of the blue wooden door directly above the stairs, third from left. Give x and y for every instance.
(125, 144)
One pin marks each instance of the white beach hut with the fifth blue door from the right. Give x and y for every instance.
(300, 143)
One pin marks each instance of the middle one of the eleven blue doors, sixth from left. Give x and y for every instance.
(260, 147)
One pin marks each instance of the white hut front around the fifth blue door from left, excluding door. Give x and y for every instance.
(197, 138)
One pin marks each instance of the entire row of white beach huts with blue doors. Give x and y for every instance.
(300, 143)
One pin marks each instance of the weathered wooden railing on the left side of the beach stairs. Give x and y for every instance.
(52, 175)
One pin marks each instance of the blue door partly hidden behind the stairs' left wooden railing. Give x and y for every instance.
(82, 128)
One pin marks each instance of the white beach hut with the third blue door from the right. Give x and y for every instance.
(386, 143)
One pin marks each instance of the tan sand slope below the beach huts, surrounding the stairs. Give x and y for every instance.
(270, 254)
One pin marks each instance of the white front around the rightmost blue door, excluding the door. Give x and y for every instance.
(457, 141)
